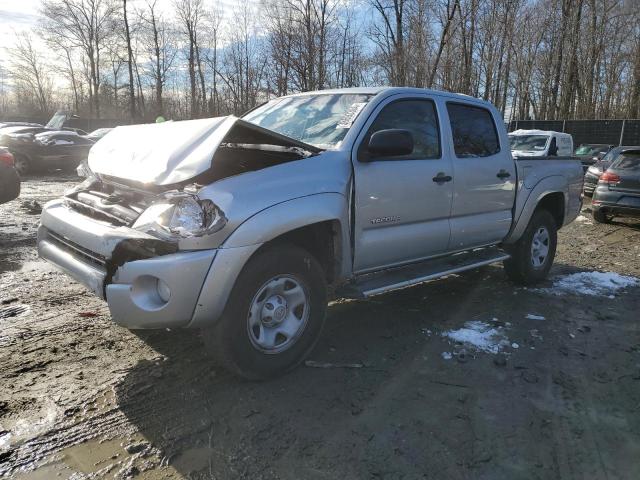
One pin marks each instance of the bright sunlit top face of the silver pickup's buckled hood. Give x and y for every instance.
(160, 153)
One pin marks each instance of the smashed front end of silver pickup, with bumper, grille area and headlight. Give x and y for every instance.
(125, 247)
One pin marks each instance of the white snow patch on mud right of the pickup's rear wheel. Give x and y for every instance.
(591, 283)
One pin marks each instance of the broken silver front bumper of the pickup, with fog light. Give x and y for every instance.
(83, 247)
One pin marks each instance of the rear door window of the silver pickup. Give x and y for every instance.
(474, 133)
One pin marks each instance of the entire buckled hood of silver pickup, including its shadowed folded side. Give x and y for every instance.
(175, 152)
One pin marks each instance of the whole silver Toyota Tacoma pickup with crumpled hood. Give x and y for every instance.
(246, 227)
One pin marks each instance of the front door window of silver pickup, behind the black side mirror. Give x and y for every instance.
(418, 117)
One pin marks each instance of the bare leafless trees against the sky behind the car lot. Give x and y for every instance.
(136, 59)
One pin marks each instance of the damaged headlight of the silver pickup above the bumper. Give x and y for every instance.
(181, 214)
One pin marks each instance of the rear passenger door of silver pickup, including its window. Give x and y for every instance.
(484, 177)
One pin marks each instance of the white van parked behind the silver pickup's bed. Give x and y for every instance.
(540, 143)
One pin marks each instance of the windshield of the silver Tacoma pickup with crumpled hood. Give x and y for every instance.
(321, 120)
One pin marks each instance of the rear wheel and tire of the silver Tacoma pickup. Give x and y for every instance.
(525, 267)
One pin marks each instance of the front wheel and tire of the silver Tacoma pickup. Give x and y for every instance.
(250, 342)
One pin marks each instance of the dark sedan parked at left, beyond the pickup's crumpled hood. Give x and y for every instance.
(50, 150)
